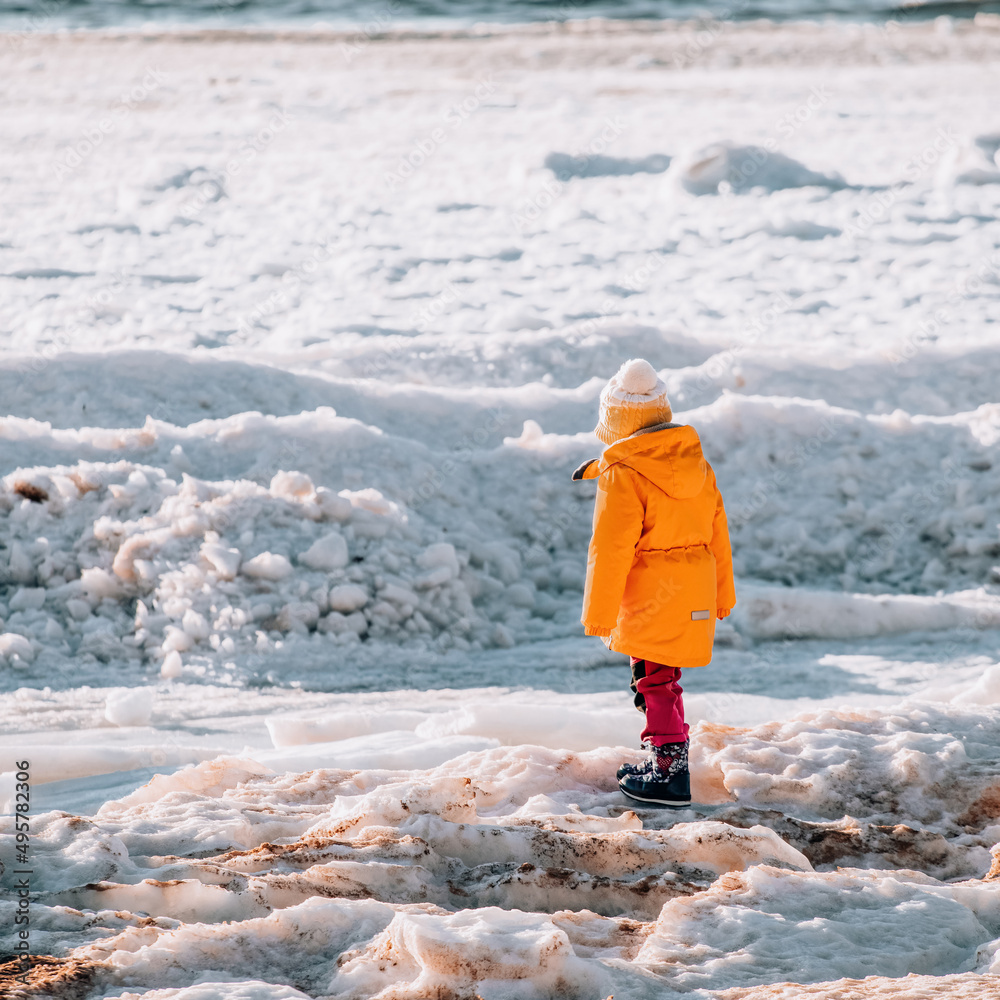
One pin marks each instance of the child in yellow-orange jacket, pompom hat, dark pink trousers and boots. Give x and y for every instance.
(659, 567)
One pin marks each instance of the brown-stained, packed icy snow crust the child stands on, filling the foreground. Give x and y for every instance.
(838, 845)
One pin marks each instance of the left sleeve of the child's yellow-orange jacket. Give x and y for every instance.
(618, 517)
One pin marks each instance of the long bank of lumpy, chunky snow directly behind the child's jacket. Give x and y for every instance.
(129, 560)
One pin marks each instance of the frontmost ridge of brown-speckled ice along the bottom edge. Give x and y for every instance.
(788, 919)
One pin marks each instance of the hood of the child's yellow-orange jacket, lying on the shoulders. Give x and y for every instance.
(668, 455)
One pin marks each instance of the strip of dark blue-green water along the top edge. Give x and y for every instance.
(387, 14)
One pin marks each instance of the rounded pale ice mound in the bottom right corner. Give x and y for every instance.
(819, 927)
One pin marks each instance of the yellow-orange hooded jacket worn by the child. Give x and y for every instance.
(659, 566)
